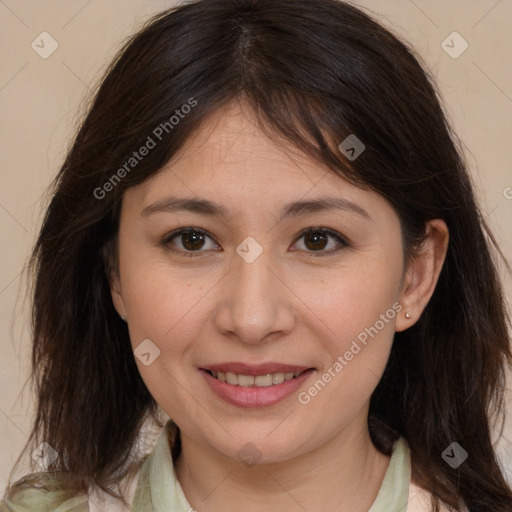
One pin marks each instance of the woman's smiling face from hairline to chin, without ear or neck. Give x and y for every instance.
(289, 268)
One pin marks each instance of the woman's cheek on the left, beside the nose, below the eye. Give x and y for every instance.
(168, 311)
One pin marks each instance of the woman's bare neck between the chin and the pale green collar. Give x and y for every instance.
(344, 474)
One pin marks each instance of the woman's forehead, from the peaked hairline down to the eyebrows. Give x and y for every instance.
(231, 160)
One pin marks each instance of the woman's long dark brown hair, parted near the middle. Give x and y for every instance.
(314, 72)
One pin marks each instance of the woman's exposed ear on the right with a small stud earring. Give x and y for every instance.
(422, 273)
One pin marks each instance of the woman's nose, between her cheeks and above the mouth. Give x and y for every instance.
(256, 305)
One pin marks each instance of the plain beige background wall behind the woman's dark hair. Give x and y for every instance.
(39, 99)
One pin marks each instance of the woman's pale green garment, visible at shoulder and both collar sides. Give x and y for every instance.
(158, 489)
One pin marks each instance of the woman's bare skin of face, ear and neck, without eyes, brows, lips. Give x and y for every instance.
(289, 305)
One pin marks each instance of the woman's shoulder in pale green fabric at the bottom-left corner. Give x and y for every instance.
(41, 492)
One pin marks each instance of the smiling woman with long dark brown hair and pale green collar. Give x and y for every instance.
(265, 229)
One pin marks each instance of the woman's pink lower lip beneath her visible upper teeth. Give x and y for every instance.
(254, 396)
